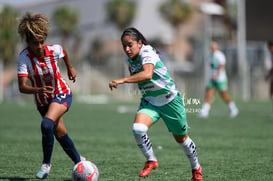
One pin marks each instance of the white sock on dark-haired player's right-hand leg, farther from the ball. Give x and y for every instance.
(191, 152)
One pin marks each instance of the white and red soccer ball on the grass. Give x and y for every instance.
(85, 171)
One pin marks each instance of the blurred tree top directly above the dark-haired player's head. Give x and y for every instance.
(121, 12)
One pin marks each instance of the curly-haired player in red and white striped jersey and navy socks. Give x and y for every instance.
(38, 62)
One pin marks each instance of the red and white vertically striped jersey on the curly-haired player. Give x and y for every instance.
(43, 71)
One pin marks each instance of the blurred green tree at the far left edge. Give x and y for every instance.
(8, 38)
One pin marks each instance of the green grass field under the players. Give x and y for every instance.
(229, 150)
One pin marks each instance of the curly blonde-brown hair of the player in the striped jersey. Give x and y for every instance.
(33, 26)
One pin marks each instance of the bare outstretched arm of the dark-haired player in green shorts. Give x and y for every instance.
(142, 76)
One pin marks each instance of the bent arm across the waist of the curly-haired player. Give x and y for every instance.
(26, 89)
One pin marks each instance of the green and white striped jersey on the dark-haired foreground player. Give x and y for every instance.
(161, 89)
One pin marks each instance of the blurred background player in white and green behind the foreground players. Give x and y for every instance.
(218, 81)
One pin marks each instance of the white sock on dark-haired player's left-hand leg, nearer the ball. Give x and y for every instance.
(143, 141)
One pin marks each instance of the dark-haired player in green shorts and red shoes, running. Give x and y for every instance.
(160, 98)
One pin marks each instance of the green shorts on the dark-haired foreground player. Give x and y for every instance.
(173, 114)
